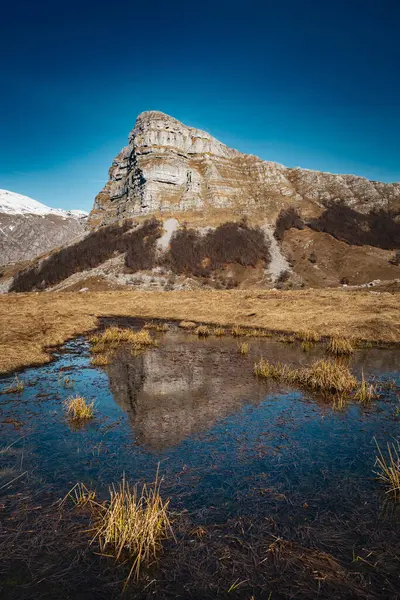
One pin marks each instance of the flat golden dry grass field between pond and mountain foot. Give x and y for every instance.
(31, 323)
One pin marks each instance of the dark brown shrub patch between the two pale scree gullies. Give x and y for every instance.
(199, 255)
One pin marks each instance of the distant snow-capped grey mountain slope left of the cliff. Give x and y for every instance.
(29, 228)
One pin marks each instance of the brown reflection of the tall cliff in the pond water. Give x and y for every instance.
(181, 389)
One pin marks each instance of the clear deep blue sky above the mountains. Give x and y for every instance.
(311, 84)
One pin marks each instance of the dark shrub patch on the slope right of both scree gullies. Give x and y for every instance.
(378, 228)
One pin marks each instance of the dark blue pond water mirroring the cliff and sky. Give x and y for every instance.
(228, 446)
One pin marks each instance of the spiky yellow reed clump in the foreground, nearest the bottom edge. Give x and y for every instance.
(132, 524)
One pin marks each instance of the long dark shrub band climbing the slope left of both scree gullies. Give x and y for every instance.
(97, 247)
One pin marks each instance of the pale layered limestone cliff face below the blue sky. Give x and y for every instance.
(169, 167)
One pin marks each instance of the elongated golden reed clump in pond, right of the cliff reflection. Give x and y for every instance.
(322, 376)
